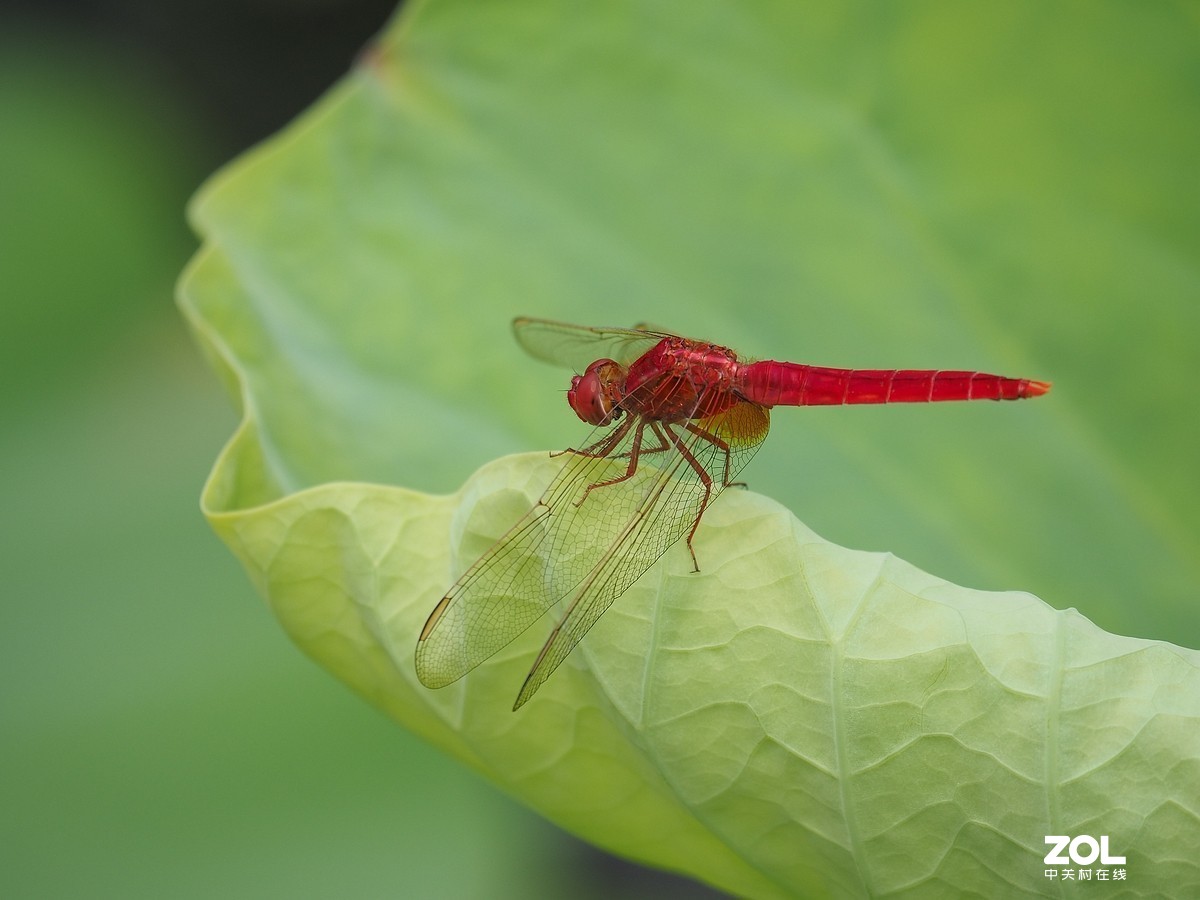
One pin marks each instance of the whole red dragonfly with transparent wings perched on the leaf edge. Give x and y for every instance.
(676, 421)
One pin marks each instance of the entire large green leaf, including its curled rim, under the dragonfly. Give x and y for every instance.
(934, 185)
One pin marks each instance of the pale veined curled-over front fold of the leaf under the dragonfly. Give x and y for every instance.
(799, 719)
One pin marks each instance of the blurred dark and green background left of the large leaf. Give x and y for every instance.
(159, 734)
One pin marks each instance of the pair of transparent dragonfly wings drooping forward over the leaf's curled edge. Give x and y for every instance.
(583, 547)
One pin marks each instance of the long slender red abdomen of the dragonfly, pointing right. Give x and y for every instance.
(791, 385)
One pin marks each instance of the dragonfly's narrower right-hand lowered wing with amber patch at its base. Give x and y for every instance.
(669, 500)
